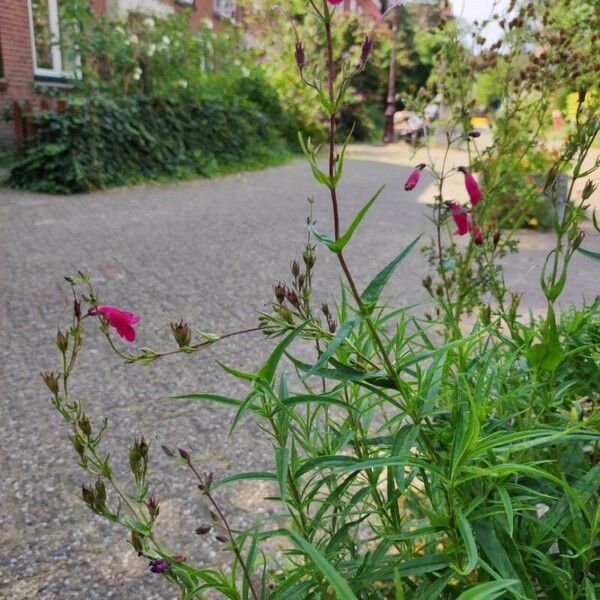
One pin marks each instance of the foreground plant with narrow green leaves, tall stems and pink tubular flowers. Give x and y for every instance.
(412, 458)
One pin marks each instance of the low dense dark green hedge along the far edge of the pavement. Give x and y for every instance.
(100, 142)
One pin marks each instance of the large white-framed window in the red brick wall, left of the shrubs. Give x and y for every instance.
(48, 59)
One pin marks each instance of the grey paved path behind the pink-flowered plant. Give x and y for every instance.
(207, 251)
